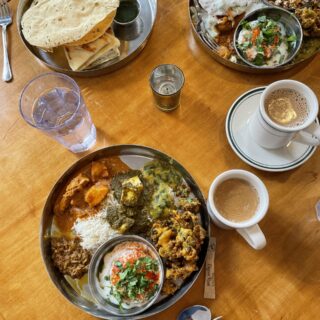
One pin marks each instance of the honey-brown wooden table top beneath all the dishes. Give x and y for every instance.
(280, 282)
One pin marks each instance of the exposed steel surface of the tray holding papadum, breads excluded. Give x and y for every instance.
(132, 38)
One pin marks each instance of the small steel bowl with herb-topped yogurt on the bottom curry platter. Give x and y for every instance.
(126, 275)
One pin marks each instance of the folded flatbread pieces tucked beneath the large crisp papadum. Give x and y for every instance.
(101, 50)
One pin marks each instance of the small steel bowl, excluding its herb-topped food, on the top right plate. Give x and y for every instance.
(288, 20)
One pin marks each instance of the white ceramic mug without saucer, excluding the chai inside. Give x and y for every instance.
(248, 229)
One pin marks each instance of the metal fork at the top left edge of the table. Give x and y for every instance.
(5, 20)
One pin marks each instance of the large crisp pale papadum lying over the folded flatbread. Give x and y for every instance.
(51, 23)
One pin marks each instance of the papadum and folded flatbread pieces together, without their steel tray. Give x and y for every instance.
(81, 27)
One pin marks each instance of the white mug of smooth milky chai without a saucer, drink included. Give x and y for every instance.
(239, 200)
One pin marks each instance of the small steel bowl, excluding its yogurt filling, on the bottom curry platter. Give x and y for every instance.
(95, 268)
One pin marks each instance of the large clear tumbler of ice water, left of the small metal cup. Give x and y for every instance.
(52, 103)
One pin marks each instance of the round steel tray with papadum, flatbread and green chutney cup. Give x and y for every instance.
(90, 39)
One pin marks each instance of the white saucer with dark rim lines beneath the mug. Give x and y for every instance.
(277, 160)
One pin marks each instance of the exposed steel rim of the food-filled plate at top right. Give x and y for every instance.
(309, 49)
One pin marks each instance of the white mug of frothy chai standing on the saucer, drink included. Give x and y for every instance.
(287, 112)
